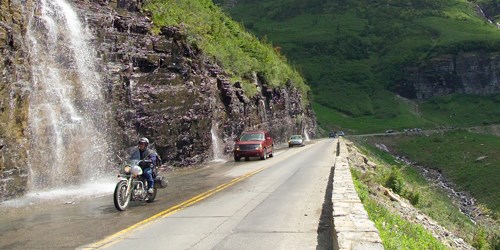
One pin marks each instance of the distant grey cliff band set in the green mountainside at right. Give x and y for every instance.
(471, 73)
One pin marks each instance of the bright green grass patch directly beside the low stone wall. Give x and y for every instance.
(395, 232)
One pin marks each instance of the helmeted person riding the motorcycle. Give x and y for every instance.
(148, 161)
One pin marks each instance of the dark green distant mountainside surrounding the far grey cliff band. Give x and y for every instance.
(353, 53)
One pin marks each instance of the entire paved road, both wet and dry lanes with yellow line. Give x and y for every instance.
(277, 203)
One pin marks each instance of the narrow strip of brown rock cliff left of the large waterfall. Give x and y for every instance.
(14, 76)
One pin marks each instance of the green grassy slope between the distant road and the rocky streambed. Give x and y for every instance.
(456, 154)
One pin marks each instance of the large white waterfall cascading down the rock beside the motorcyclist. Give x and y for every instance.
(68, 125)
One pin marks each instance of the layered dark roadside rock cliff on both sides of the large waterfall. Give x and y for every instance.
(158, 86)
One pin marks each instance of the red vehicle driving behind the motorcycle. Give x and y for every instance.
(258, 143)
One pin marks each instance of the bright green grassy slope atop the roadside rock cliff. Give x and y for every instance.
(226, 42)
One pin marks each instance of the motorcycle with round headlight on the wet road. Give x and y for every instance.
(133, 187)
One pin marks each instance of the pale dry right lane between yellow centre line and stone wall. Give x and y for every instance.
(278, 204)
